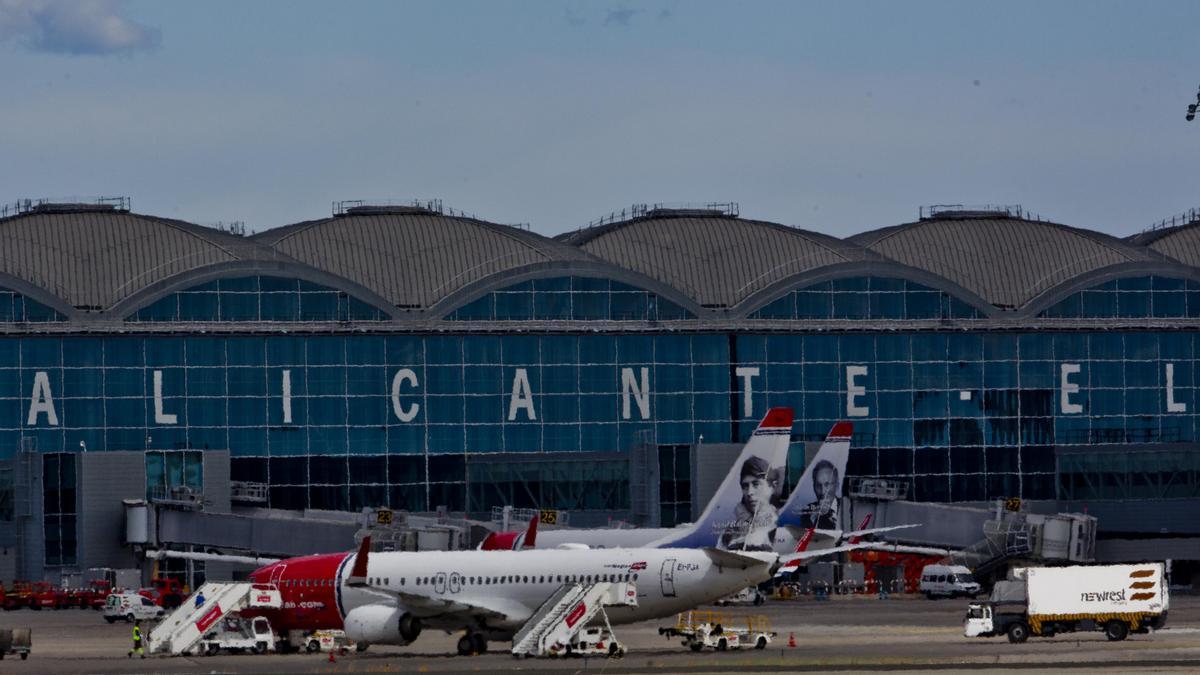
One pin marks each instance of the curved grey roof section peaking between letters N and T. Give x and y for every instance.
(717, 260)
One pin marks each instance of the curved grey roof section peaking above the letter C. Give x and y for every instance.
(413, 258)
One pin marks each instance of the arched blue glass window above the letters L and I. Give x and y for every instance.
(259, 298)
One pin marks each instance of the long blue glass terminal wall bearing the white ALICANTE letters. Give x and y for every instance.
(351, 421)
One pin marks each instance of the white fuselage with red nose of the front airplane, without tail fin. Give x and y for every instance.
(392, 598)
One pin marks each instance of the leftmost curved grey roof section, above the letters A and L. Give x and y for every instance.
(94, 258)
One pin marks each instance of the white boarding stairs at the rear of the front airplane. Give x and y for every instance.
(566, 613)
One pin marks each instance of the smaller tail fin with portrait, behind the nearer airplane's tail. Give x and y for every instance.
(815, 504)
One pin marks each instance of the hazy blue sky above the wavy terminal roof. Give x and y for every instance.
(833, 117)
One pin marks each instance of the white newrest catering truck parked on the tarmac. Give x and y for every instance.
(1047, 601)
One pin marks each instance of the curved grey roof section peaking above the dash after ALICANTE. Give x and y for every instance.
(1006, 261)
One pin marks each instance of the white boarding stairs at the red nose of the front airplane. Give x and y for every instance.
(184, 628)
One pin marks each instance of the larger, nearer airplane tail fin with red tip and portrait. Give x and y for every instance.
(748, 498)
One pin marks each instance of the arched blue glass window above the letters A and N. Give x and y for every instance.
(571, 298)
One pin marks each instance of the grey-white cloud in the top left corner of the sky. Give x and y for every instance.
(75, 27)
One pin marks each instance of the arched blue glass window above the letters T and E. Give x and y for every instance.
(867, 298)
